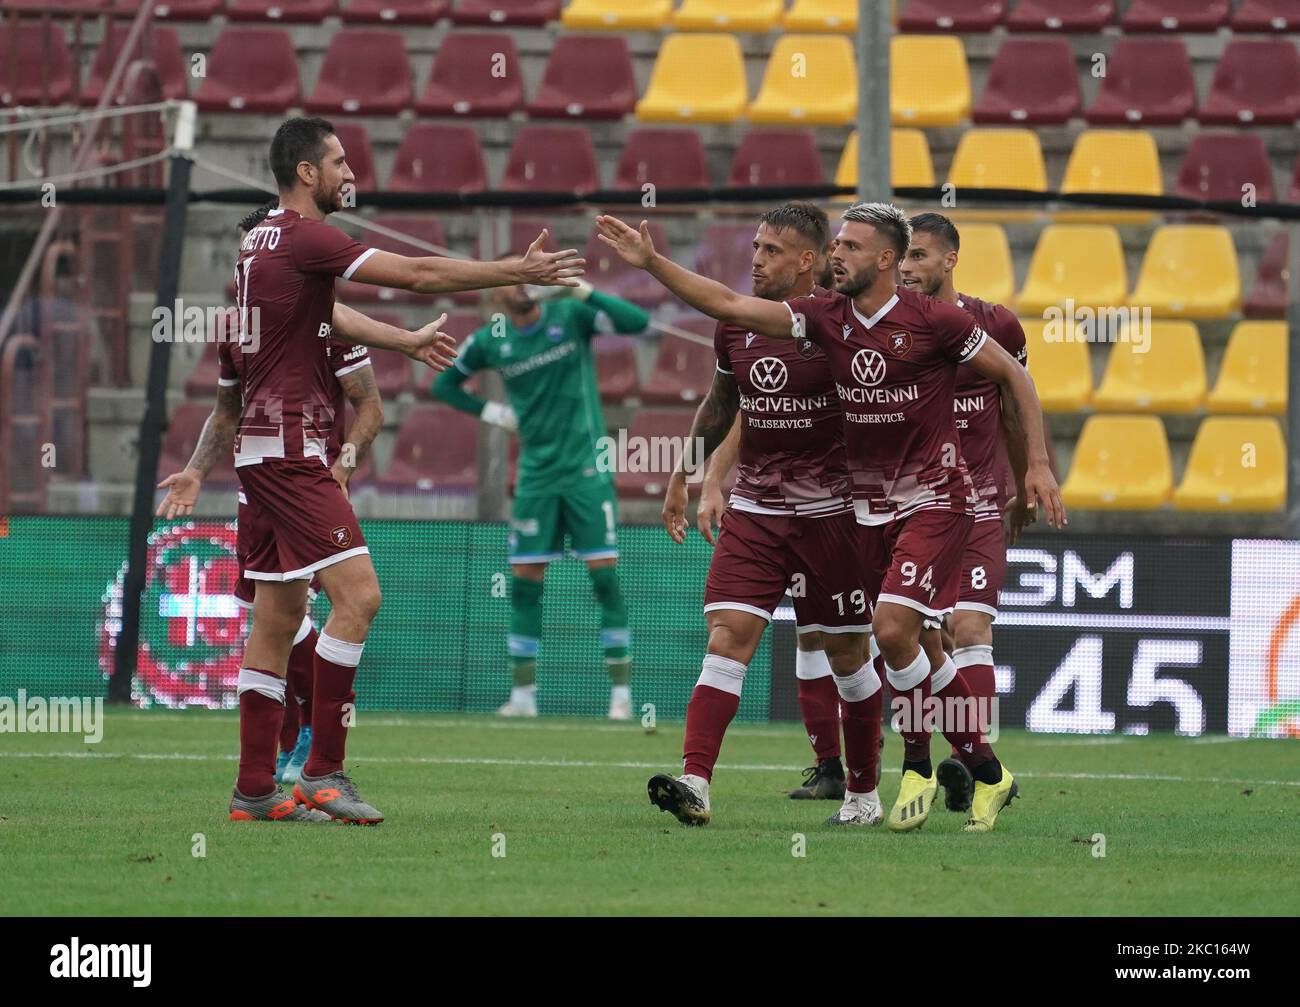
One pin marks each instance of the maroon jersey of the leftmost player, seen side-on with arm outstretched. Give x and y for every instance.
(285, 294)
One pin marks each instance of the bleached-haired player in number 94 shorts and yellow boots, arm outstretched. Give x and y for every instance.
(894, 357)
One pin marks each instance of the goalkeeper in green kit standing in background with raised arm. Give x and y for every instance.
(543, 351)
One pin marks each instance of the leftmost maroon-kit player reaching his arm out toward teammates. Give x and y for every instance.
(285, 293)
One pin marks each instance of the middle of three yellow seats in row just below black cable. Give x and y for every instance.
(1084, 264)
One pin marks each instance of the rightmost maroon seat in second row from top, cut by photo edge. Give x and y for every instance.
(1256, 83)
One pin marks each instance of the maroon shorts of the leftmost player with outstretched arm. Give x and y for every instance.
(297, 522)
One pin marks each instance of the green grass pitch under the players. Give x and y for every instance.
(1191, 827)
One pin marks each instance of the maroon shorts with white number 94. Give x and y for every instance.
(917, 562)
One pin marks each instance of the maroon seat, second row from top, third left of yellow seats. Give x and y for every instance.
(366, 73)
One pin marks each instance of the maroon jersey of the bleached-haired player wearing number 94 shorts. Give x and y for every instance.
(895, 375)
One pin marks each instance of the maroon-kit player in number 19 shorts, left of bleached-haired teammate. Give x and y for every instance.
(790, 524)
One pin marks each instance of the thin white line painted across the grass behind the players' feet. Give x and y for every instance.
(588, 765)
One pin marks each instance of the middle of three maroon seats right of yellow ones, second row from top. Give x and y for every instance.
(1149, 83)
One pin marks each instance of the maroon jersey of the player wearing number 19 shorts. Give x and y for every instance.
(791, 458)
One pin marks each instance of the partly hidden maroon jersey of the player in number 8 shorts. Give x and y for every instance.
(978, 406)
